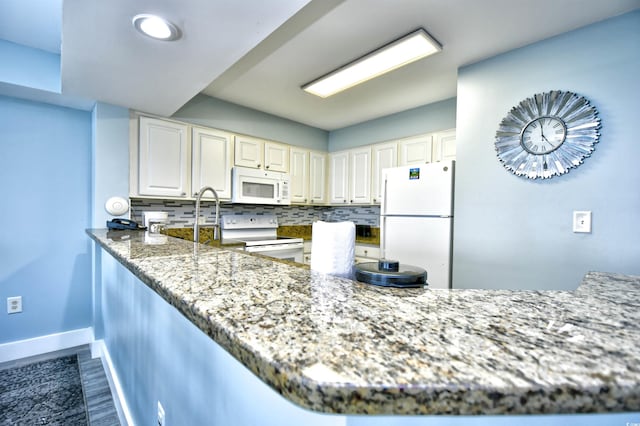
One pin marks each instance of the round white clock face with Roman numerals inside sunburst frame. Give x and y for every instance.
(543, 135)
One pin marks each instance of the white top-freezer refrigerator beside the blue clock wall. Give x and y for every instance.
(416, 218)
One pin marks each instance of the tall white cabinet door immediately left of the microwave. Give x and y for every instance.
(212, 159)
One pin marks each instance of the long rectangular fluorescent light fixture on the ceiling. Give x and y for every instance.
(416, 45)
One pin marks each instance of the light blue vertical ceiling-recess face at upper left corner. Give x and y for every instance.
(28, 67)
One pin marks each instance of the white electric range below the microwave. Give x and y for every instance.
(259, 232)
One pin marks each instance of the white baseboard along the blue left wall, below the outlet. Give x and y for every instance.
(44, 344)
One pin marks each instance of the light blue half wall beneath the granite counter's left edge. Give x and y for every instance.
(160, 356)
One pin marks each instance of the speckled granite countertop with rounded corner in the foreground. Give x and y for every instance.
(334, 345)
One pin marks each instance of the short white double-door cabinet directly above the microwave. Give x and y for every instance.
(261, 154)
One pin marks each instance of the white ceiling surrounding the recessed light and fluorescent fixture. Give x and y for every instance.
(258, 53)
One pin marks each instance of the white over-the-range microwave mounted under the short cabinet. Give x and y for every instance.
(254, 186)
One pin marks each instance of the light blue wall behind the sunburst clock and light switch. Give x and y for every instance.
(510, 232)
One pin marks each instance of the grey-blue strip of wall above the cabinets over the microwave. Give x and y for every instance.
(216, 113)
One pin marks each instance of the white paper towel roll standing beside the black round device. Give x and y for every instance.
(333, 247)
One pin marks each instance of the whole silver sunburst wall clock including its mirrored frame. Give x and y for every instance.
(547, 135)
